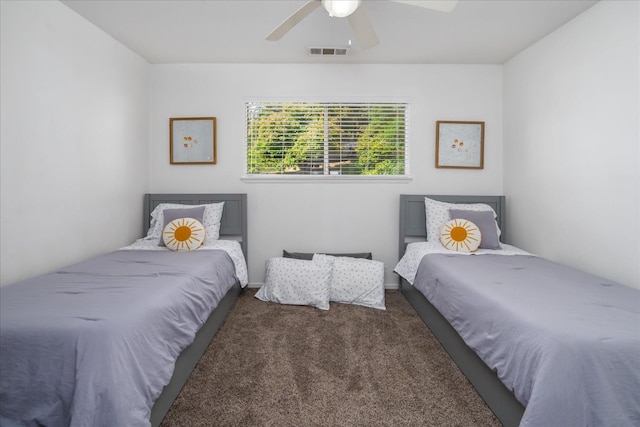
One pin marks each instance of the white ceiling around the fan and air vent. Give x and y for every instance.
(217, 31)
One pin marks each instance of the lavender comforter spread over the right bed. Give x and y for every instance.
(565, 342)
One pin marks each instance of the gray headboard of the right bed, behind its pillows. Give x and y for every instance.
(413, 220)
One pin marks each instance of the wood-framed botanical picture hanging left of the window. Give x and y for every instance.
(192, 141)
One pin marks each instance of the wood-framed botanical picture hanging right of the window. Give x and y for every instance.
(459, 145)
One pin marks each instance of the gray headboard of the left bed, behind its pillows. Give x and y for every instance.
(234, 214)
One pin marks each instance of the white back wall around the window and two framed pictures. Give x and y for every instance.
(338, 217)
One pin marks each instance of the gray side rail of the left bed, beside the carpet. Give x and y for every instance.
(190, 356)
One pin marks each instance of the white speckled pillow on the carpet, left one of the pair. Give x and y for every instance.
(297, 282)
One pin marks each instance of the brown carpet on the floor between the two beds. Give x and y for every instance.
(278, 365)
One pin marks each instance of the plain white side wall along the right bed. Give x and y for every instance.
(571, 138)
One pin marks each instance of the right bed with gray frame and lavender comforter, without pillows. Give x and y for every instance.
(576, 364)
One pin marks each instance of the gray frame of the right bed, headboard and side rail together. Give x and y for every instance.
(413, 228)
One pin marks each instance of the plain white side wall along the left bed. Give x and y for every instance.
(74, 139)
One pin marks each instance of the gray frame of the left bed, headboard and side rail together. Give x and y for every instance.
(233, 227)
